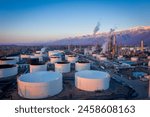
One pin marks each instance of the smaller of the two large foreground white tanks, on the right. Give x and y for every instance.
(92, 80)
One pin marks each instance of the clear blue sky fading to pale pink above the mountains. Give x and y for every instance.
(45, 20)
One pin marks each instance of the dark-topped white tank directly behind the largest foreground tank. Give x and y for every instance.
(38, 67)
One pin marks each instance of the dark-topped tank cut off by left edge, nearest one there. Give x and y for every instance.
(7, 70)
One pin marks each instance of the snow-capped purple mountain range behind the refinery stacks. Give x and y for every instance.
(131, 36)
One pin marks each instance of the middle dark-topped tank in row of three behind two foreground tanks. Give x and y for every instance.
(62, 67)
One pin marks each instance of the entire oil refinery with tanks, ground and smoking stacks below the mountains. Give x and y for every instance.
(98, 71)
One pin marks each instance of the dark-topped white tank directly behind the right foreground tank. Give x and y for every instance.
(82, 65)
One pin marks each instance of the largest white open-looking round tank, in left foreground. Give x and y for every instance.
(40, 84)
